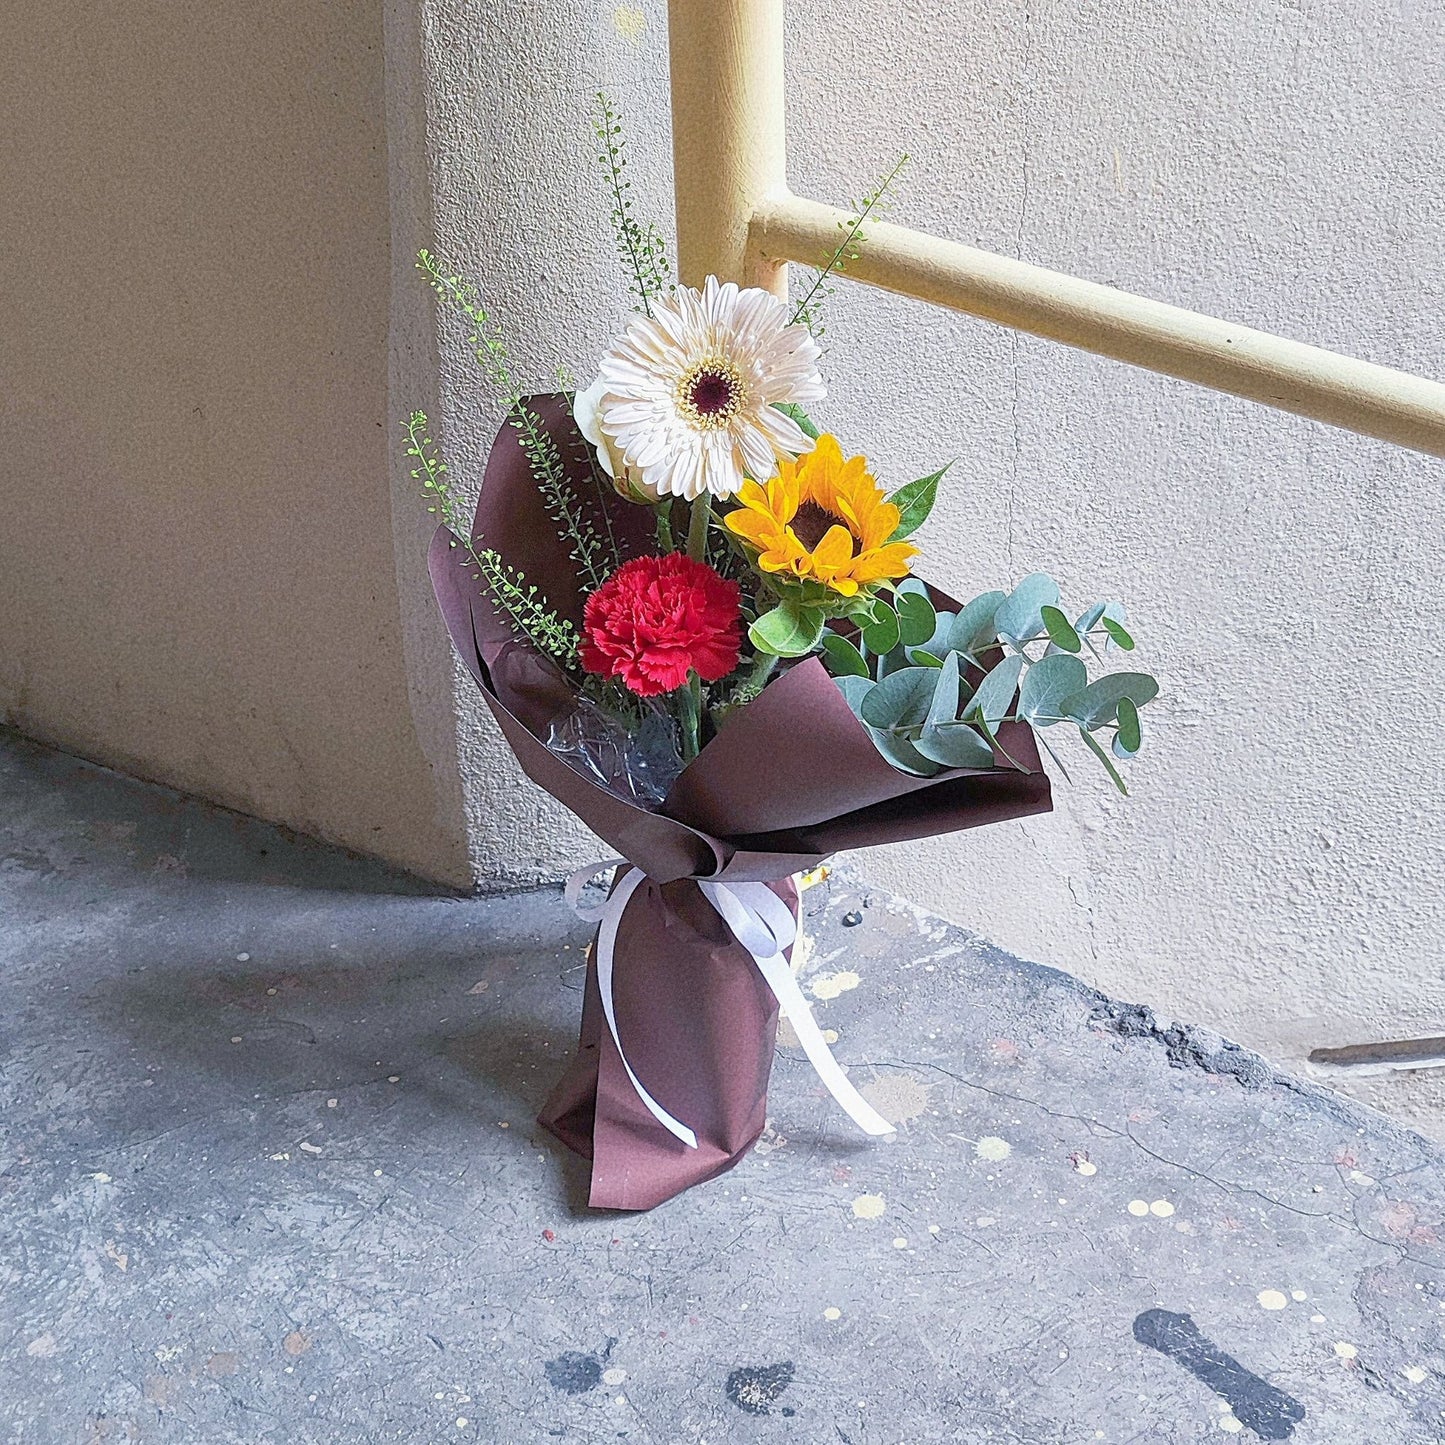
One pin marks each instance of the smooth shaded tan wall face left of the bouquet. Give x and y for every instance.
(197, 570)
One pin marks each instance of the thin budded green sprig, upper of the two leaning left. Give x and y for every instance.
(595, 554)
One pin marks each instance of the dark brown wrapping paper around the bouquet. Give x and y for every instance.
(790, 781)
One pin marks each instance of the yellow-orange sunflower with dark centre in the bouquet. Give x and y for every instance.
(823, 519)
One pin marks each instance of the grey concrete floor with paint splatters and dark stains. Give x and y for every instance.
(269, 1174)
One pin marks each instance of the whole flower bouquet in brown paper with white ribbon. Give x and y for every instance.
(696, 619)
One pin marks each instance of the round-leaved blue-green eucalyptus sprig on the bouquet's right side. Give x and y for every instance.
(933, 689)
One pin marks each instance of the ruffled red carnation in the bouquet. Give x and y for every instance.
(657, 619)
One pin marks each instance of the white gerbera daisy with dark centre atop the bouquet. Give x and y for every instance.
(687, 394)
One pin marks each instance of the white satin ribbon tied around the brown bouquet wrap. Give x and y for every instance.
(764, 924)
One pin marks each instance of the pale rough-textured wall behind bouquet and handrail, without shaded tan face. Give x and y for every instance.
(1277, 871)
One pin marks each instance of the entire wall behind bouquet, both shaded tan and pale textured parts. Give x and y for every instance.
(213, 327)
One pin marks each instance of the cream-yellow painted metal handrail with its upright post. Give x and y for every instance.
(738, 220)
